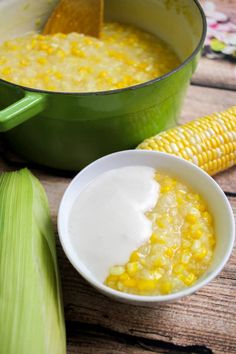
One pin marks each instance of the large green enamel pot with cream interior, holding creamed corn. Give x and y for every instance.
(69, 130)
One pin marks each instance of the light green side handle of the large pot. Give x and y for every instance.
(22, 110)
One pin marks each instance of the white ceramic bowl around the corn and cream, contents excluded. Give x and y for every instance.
(200, 181)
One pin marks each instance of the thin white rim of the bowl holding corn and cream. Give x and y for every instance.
(149, 298)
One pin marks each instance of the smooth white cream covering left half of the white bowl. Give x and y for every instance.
(107, 220)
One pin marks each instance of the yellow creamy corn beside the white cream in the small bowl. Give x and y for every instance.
(180, 249)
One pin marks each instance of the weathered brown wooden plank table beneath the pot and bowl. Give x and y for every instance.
(202, 323)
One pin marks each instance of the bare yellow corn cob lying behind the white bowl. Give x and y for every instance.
(209, 142)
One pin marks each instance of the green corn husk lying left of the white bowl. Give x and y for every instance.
(31, 312)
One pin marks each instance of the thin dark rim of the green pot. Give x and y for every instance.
(129, 88)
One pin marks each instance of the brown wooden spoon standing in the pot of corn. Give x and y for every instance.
(83, 16)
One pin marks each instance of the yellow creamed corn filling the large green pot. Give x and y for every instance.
(124, 56)
